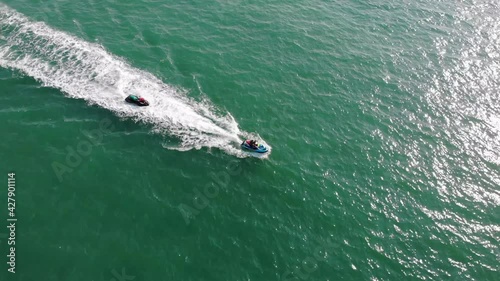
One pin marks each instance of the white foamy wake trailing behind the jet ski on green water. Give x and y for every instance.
(87, 71)
